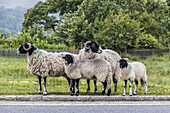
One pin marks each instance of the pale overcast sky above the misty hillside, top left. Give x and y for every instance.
(15, 3)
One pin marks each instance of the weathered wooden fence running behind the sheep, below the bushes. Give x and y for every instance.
(142, 53)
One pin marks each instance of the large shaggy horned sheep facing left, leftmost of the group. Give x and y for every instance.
(44, 64)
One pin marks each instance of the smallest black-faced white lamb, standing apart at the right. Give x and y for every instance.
(133, 71)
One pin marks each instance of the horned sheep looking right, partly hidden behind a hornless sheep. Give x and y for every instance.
(92, 50)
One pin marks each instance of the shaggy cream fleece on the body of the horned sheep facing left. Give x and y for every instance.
(44, 64)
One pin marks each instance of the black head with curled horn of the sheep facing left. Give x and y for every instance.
(26, 48)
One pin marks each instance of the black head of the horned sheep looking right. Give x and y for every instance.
(93, 46)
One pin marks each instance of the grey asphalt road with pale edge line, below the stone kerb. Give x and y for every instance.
(85, 107)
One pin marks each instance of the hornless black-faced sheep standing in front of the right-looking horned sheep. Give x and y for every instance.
(88, 69)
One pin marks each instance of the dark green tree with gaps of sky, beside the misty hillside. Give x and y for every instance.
(44, 13)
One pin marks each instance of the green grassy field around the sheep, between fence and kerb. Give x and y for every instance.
(16, 79)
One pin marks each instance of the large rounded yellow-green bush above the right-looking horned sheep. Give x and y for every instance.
(118, 31)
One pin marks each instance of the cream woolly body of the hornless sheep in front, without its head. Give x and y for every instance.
(99, 68)
